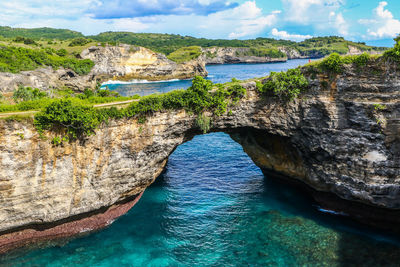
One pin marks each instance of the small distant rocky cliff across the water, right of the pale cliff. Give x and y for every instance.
(231, 55)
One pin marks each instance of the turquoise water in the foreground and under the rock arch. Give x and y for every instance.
(213, 207)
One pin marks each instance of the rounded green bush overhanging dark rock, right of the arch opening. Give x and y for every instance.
(286, 85)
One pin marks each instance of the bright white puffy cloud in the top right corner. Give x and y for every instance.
(383, 25)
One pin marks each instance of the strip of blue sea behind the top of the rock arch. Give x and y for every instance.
(217, 74)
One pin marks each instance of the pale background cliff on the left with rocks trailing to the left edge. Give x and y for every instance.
(123, 62)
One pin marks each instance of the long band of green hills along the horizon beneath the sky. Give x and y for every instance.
(176, 47)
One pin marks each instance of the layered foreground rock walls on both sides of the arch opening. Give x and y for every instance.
(335, 140)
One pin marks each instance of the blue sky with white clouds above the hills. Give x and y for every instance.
(373, 22)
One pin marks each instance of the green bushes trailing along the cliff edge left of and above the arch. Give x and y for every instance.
(79, 120)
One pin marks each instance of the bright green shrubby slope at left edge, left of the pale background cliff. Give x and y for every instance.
(16, 59)
